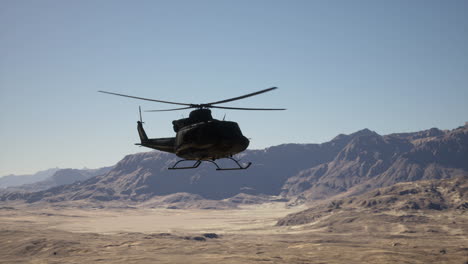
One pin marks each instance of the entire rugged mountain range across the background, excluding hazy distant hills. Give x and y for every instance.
(347, 165)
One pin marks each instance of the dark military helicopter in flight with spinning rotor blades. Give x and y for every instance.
(200, 137)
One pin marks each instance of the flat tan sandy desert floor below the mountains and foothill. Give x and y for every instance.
(38, 234)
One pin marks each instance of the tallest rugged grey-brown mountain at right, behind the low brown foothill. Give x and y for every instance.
(370, 161)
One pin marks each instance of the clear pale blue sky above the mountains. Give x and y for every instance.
(341, 66)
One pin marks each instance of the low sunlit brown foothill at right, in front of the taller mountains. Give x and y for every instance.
(434, 195)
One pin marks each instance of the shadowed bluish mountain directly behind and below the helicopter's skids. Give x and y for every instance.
(144, 175)
